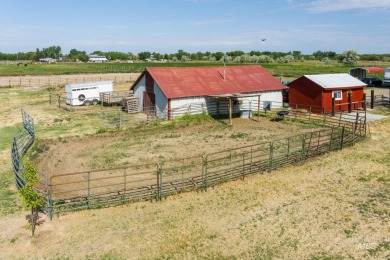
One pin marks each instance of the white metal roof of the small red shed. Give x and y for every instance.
(335, 81)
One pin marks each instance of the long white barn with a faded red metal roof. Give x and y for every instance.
(173, 91)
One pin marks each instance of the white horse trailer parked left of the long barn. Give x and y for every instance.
(87, 93)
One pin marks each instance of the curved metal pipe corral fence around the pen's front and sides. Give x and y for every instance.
(154, 181)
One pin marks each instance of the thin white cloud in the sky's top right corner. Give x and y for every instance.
(324, 6)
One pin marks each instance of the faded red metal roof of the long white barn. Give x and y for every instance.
(207, 81)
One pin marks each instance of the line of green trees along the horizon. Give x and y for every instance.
(236, 56)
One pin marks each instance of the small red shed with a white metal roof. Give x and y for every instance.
(315, 92)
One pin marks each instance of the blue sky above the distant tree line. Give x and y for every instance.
(166, 26)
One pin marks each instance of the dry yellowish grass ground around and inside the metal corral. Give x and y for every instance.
(331, 207)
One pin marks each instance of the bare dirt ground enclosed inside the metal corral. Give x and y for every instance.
(153, 144)
